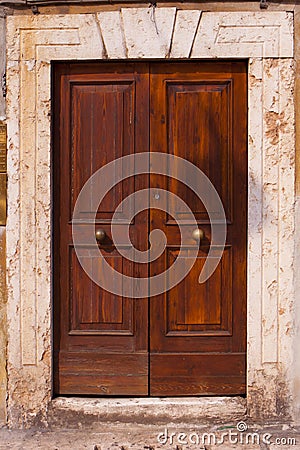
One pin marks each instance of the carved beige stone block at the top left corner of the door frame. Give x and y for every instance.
(45, 38)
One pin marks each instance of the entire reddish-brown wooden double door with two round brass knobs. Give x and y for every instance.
(191, 339)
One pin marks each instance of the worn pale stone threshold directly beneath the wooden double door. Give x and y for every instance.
(76, 412)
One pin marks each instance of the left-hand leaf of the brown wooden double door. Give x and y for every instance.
(101, 114)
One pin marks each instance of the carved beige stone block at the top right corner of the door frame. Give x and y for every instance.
(244, 34)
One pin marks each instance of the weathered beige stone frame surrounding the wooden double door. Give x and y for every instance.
(266, 41)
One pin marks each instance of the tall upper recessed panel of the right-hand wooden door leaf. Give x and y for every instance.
(192, 108)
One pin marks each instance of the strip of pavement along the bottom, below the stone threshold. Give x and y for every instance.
(117, 436)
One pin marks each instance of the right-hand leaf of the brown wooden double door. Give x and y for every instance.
(198, 331)
